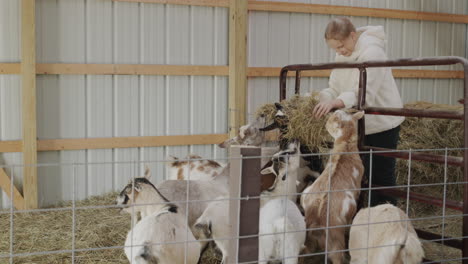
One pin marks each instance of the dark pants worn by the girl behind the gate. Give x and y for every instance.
(383, 168)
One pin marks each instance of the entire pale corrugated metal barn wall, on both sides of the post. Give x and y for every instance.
(101, 31)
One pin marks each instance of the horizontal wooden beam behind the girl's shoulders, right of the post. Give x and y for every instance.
(397, 73)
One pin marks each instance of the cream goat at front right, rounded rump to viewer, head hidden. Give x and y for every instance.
(392, 241)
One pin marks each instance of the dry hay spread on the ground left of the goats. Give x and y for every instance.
(52, 231)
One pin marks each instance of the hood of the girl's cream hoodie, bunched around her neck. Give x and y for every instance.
(369, 36)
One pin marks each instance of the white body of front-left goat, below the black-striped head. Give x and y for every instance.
(159, 239)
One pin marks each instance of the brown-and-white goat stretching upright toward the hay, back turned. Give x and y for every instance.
(344, 172)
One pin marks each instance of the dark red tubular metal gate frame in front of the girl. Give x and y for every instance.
(455, 161)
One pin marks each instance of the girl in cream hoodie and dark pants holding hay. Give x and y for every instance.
(364, 44)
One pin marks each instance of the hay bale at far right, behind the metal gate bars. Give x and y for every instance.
(431, 133)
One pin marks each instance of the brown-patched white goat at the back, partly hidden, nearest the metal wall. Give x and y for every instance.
(193, 168)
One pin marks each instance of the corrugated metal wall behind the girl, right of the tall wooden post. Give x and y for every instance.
(278, 39)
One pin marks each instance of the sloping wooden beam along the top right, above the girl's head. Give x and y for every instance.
(355, 11)
